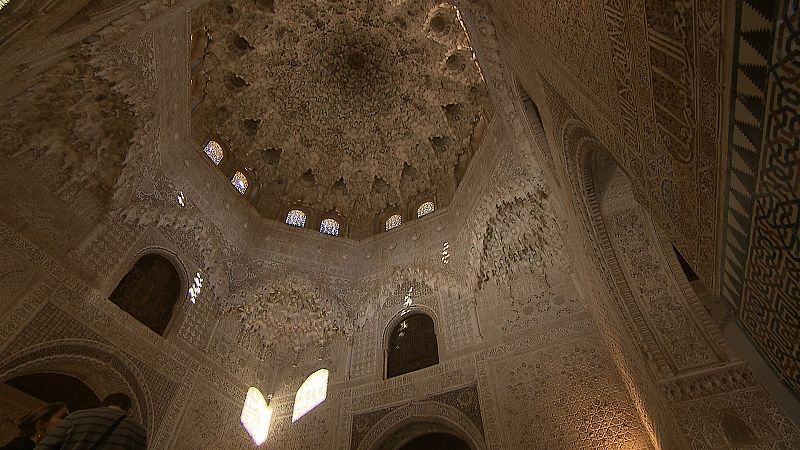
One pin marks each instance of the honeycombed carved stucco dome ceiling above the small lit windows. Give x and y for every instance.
(355, 107)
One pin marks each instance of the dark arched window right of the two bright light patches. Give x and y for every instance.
(412, 346)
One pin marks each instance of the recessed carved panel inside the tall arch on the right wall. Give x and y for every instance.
(646, 273)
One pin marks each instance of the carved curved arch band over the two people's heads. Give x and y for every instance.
(102, 368)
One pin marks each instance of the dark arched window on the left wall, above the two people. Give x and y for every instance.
(149, 291)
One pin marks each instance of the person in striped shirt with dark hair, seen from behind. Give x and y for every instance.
(106, 427)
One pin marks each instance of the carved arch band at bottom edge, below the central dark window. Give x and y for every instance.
(408, 422)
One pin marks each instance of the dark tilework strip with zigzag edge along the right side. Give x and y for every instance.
(760, 268)
